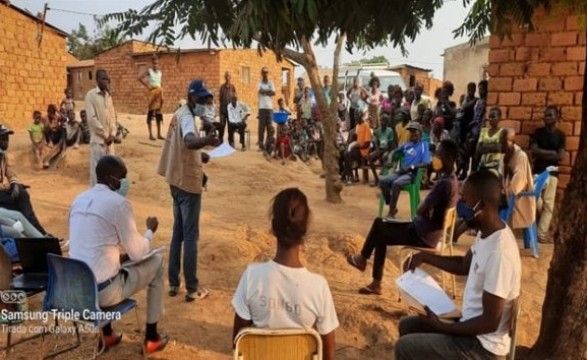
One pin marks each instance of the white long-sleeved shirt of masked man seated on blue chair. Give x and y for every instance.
(100, 220)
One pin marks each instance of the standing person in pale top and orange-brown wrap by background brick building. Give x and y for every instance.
(151, 78)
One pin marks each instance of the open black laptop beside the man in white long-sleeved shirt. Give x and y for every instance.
(33, 260)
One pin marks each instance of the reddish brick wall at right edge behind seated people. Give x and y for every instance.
(535, 69)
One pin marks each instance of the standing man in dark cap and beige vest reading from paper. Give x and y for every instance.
(181, 165)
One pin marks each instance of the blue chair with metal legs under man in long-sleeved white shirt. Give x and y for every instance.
(72, 289)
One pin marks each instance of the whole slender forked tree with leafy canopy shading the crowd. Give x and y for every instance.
(290, 28)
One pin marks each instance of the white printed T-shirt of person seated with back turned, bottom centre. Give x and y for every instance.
(275, 296)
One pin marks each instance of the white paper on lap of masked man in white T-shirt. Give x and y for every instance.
(423, 288)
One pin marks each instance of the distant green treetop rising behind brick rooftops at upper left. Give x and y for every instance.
(83, 46)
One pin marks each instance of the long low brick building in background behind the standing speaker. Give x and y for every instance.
(126, 61)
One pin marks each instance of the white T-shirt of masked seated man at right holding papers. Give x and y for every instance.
(495, 268)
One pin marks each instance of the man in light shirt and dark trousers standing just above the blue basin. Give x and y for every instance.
(266, 91)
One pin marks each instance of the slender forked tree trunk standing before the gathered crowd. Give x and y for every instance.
(329, 121)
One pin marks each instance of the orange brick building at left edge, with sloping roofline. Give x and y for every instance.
(33, 57)
